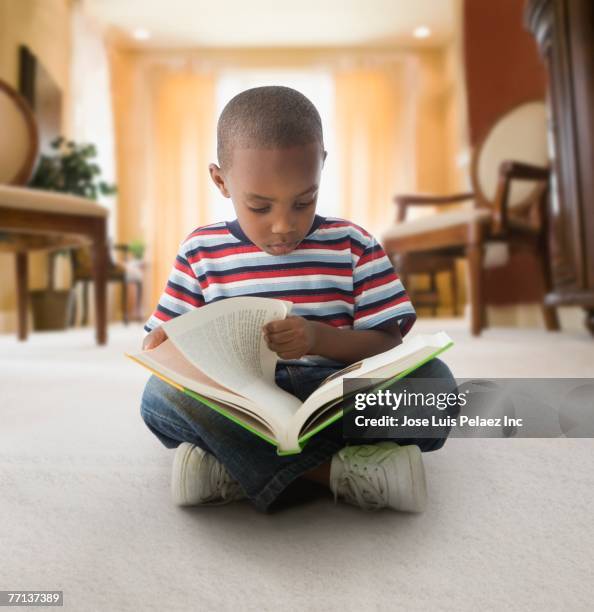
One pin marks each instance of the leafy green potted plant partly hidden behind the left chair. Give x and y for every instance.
(71, 169)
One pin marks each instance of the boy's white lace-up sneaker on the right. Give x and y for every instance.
(382, 475)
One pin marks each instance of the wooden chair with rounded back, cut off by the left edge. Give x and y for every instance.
(33, 219)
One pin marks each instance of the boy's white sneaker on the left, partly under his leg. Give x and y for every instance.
(198, 478)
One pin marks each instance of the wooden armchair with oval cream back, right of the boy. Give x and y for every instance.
(510, 180)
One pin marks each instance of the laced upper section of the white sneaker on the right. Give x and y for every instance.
(367, 486)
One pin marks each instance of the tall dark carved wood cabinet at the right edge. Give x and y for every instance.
(564, 30)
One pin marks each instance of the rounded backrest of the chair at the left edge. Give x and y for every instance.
(20, 142)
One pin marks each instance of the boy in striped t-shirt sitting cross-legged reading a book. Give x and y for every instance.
(348, 304)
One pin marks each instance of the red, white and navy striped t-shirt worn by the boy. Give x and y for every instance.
(339, 274)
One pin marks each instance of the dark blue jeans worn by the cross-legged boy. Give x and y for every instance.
(174, 417)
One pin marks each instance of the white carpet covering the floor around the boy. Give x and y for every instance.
(85, 501)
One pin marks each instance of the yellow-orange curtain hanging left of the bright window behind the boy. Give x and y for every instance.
(183, 128)
